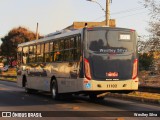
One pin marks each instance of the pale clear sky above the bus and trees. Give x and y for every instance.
(53, 15)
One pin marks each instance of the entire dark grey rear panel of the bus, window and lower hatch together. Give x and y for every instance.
(111, 52)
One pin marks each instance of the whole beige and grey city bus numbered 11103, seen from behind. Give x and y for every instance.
(89, 61)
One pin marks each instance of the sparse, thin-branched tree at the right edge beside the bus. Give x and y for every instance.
(149, 46)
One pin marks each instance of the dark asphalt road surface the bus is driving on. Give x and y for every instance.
(13, 98)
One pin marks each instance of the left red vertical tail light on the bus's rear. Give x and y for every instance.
(87, 69)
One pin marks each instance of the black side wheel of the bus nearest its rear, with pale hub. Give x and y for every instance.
(54, 91)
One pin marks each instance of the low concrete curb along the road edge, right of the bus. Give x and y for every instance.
(140, 99)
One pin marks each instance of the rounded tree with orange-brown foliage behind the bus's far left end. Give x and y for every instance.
(13, 38)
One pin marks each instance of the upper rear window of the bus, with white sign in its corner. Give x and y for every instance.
(109, 41)
